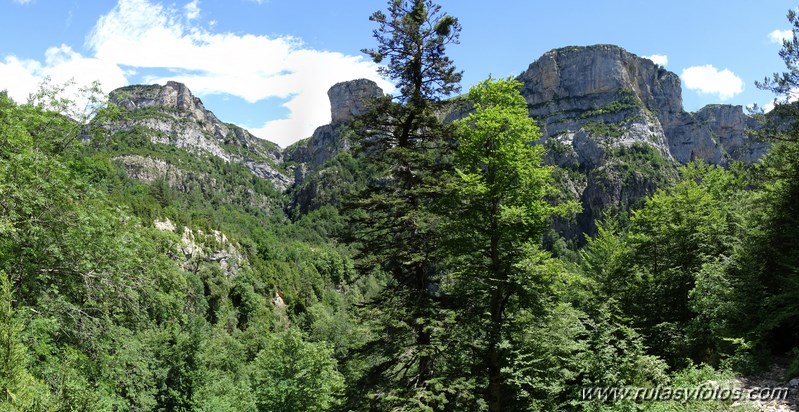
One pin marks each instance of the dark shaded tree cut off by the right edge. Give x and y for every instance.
(773, 251)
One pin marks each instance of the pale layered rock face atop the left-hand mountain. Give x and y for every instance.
(178, 118)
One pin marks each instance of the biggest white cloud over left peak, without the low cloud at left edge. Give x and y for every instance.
(141, 34)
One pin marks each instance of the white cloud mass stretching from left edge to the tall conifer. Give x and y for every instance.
(140, 34)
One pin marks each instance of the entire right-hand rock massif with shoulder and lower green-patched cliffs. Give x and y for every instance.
(618, 120)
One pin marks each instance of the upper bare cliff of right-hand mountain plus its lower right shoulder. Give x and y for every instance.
(611, 93)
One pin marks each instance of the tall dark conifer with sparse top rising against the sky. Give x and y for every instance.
(396, 219)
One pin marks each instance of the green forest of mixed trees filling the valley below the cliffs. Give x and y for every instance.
(427, 275)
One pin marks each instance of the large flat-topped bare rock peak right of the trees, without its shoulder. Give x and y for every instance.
(597, 98)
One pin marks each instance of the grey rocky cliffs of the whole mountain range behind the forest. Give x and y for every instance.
(612, 122)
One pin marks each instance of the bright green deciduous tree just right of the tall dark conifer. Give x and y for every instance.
(499, 217)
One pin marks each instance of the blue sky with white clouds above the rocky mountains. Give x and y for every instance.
(266, 65)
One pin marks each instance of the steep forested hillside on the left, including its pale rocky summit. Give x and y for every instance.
(151, 267)
